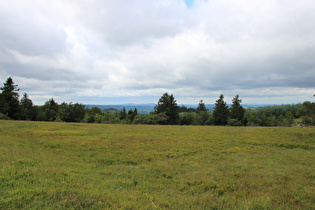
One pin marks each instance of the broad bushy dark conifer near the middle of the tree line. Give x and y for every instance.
(167, 105)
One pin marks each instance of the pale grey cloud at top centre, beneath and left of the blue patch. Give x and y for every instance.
(134, 22)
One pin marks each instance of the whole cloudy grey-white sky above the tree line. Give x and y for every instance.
(119, 51)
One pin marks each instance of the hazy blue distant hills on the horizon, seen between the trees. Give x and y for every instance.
(147, 108)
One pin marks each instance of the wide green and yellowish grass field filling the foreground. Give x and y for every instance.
(67, 165)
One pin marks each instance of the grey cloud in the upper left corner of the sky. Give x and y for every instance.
(29, 32)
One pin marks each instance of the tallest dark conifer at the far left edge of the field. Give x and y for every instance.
(9, 99)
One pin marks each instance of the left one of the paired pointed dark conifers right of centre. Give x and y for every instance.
(220, 112)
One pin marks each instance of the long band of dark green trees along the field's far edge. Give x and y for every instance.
(166, 112)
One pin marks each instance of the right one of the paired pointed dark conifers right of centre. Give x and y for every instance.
(237, 112)
